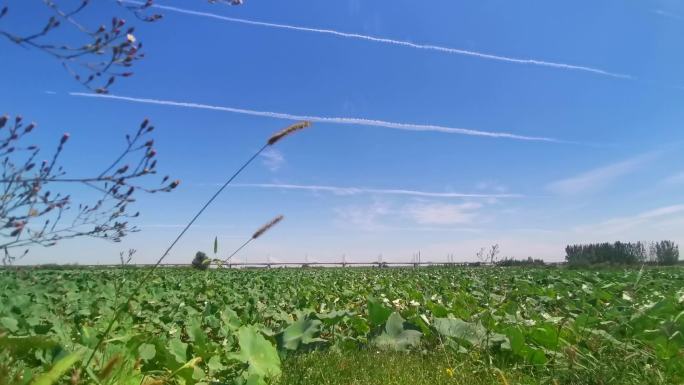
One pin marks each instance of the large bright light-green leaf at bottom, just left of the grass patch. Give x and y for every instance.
(258, 353)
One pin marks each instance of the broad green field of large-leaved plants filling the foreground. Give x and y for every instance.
(344, 326)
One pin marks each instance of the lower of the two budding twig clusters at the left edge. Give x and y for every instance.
(33, 211)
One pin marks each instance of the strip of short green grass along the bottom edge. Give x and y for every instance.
(366, 367)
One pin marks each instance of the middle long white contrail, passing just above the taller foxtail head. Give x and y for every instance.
(321, 119)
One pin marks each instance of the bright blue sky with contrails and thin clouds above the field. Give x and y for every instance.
(614, 169)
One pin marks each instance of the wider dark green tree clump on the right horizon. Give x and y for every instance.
(607, 253)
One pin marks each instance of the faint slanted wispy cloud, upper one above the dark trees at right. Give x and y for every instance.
(598, 178)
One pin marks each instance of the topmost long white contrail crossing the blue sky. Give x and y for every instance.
(403, 43)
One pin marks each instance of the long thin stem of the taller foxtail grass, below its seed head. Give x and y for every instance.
(137, 288)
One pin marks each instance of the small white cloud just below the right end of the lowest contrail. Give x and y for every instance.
(442, 213)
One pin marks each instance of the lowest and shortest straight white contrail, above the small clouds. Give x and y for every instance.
(361, 190)
